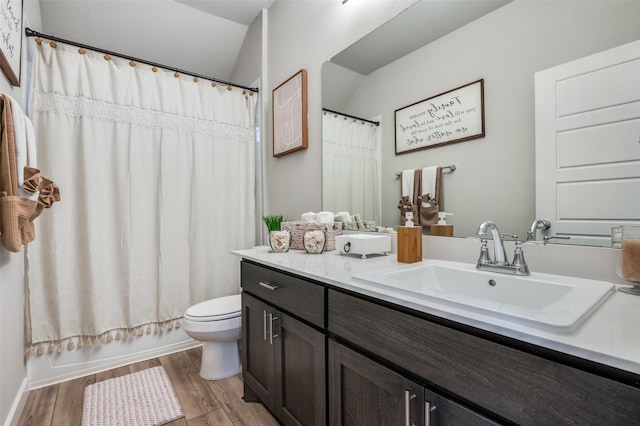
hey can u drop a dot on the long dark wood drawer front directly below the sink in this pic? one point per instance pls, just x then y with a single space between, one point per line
521 387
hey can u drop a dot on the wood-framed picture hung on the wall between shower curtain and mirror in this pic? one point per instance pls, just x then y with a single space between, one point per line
289 109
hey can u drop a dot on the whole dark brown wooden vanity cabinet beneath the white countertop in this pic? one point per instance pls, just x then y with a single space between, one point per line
315 354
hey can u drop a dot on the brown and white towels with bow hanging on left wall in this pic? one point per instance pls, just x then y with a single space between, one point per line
24 194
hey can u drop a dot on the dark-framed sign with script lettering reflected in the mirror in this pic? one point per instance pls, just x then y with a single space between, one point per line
453 116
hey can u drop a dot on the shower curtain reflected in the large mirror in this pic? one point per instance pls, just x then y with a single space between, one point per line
350 167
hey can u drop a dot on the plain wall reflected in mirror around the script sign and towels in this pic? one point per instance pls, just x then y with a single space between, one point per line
495 175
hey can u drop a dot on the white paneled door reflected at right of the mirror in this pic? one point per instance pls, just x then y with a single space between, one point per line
588 145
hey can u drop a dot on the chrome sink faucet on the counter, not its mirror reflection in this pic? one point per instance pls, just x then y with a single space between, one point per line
500 262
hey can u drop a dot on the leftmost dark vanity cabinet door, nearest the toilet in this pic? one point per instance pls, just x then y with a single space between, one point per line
257 351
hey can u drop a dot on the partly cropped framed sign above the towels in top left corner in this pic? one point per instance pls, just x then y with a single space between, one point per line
11 39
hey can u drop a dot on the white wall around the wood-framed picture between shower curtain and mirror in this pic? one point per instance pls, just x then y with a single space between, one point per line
304 34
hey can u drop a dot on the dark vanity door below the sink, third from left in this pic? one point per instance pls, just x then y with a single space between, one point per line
362 392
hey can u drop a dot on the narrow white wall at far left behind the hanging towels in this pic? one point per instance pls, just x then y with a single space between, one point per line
13 371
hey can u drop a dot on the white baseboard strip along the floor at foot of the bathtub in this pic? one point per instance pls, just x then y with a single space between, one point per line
121 361
